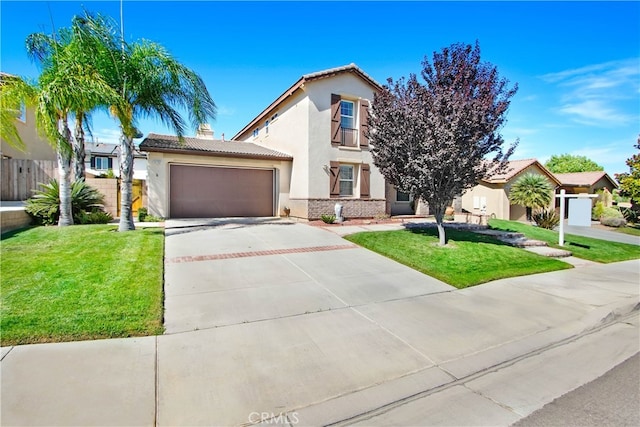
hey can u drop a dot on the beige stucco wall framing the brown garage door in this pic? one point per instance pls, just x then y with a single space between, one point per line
158 172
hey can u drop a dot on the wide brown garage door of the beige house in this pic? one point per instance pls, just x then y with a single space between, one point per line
214 192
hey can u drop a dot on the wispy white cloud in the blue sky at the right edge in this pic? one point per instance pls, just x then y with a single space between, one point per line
600 94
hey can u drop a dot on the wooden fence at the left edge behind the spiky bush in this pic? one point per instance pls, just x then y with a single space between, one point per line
18 177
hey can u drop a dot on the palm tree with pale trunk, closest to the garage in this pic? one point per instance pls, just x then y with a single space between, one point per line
150 82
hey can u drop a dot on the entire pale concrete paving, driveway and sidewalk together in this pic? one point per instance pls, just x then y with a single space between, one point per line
285 323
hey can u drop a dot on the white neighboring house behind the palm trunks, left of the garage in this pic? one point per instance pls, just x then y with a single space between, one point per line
102 157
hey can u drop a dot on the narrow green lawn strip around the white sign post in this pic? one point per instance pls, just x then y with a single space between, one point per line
581 247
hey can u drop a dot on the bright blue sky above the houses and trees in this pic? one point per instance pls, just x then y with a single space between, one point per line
577 64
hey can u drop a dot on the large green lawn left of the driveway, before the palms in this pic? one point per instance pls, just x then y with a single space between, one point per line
80 282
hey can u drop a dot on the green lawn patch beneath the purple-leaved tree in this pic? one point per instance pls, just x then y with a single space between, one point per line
468 259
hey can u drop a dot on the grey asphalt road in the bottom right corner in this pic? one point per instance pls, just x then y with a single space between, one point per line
611 400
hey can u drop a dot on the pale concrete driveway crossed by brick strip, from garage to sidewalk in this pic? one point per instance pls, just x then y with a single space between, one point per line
227 272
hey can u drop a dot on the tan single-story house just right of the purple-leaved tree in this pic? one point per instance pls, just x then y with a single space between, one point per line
491 195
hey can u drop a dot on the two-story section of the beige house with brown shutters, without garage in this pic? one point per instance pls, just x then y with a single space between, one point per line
321 121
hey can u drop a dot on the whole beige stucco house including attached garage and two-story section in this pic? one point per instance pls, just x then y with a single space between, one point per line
302 154
